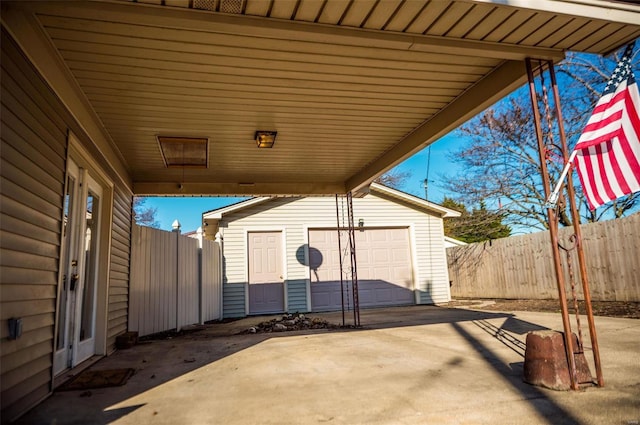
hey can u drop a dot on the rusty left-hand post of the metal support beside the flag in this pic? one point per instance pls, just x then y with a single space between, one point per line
553 231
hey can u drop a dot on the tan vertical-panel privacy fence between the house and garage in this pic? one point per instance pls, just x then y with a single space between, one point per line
175 281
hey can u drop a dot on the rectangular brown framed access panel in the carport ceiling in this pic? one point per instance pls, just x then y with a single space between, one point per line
189 152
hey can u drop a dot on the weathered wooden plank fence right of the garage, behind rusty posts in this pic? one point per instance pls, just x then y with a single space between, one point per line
521 267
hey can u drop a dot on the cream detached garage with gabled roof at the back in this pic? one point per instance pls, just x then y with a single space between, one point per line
283 255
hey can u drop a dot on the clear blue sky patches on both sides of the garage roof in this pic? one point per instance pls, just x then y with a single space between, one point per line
188 210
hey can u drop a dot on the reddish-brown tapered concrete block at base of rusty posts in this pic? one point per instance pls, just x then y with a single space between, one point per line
545 361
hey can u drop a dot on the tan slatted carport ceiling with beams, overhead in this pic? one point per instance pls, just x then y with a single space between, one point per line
352 87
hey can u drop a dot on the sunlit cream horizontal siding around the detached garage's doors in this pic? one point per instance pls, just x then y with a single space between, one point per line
296 215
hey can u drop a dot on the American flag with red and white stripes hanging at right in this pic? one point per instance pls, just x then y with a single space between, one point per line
607 155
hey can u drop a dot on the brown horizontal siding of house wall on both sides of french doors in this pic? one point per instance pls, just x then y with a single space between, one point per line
34 149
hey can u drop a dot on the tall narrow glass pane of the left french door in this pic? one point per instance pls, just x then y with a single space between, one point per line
67 225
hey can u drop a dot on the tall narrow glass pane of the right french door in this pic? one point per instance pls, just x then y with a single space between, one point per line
90 242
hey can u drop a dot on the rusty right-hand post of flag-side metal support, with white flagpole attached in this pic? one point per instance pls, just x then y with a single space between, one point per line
575 216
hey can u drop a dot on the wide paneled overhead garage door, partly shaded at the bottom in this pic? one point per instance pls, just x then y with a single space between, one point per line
384 268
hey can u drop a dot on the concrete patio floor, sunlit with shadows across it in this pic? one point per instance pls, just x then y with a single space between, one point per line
410 365
